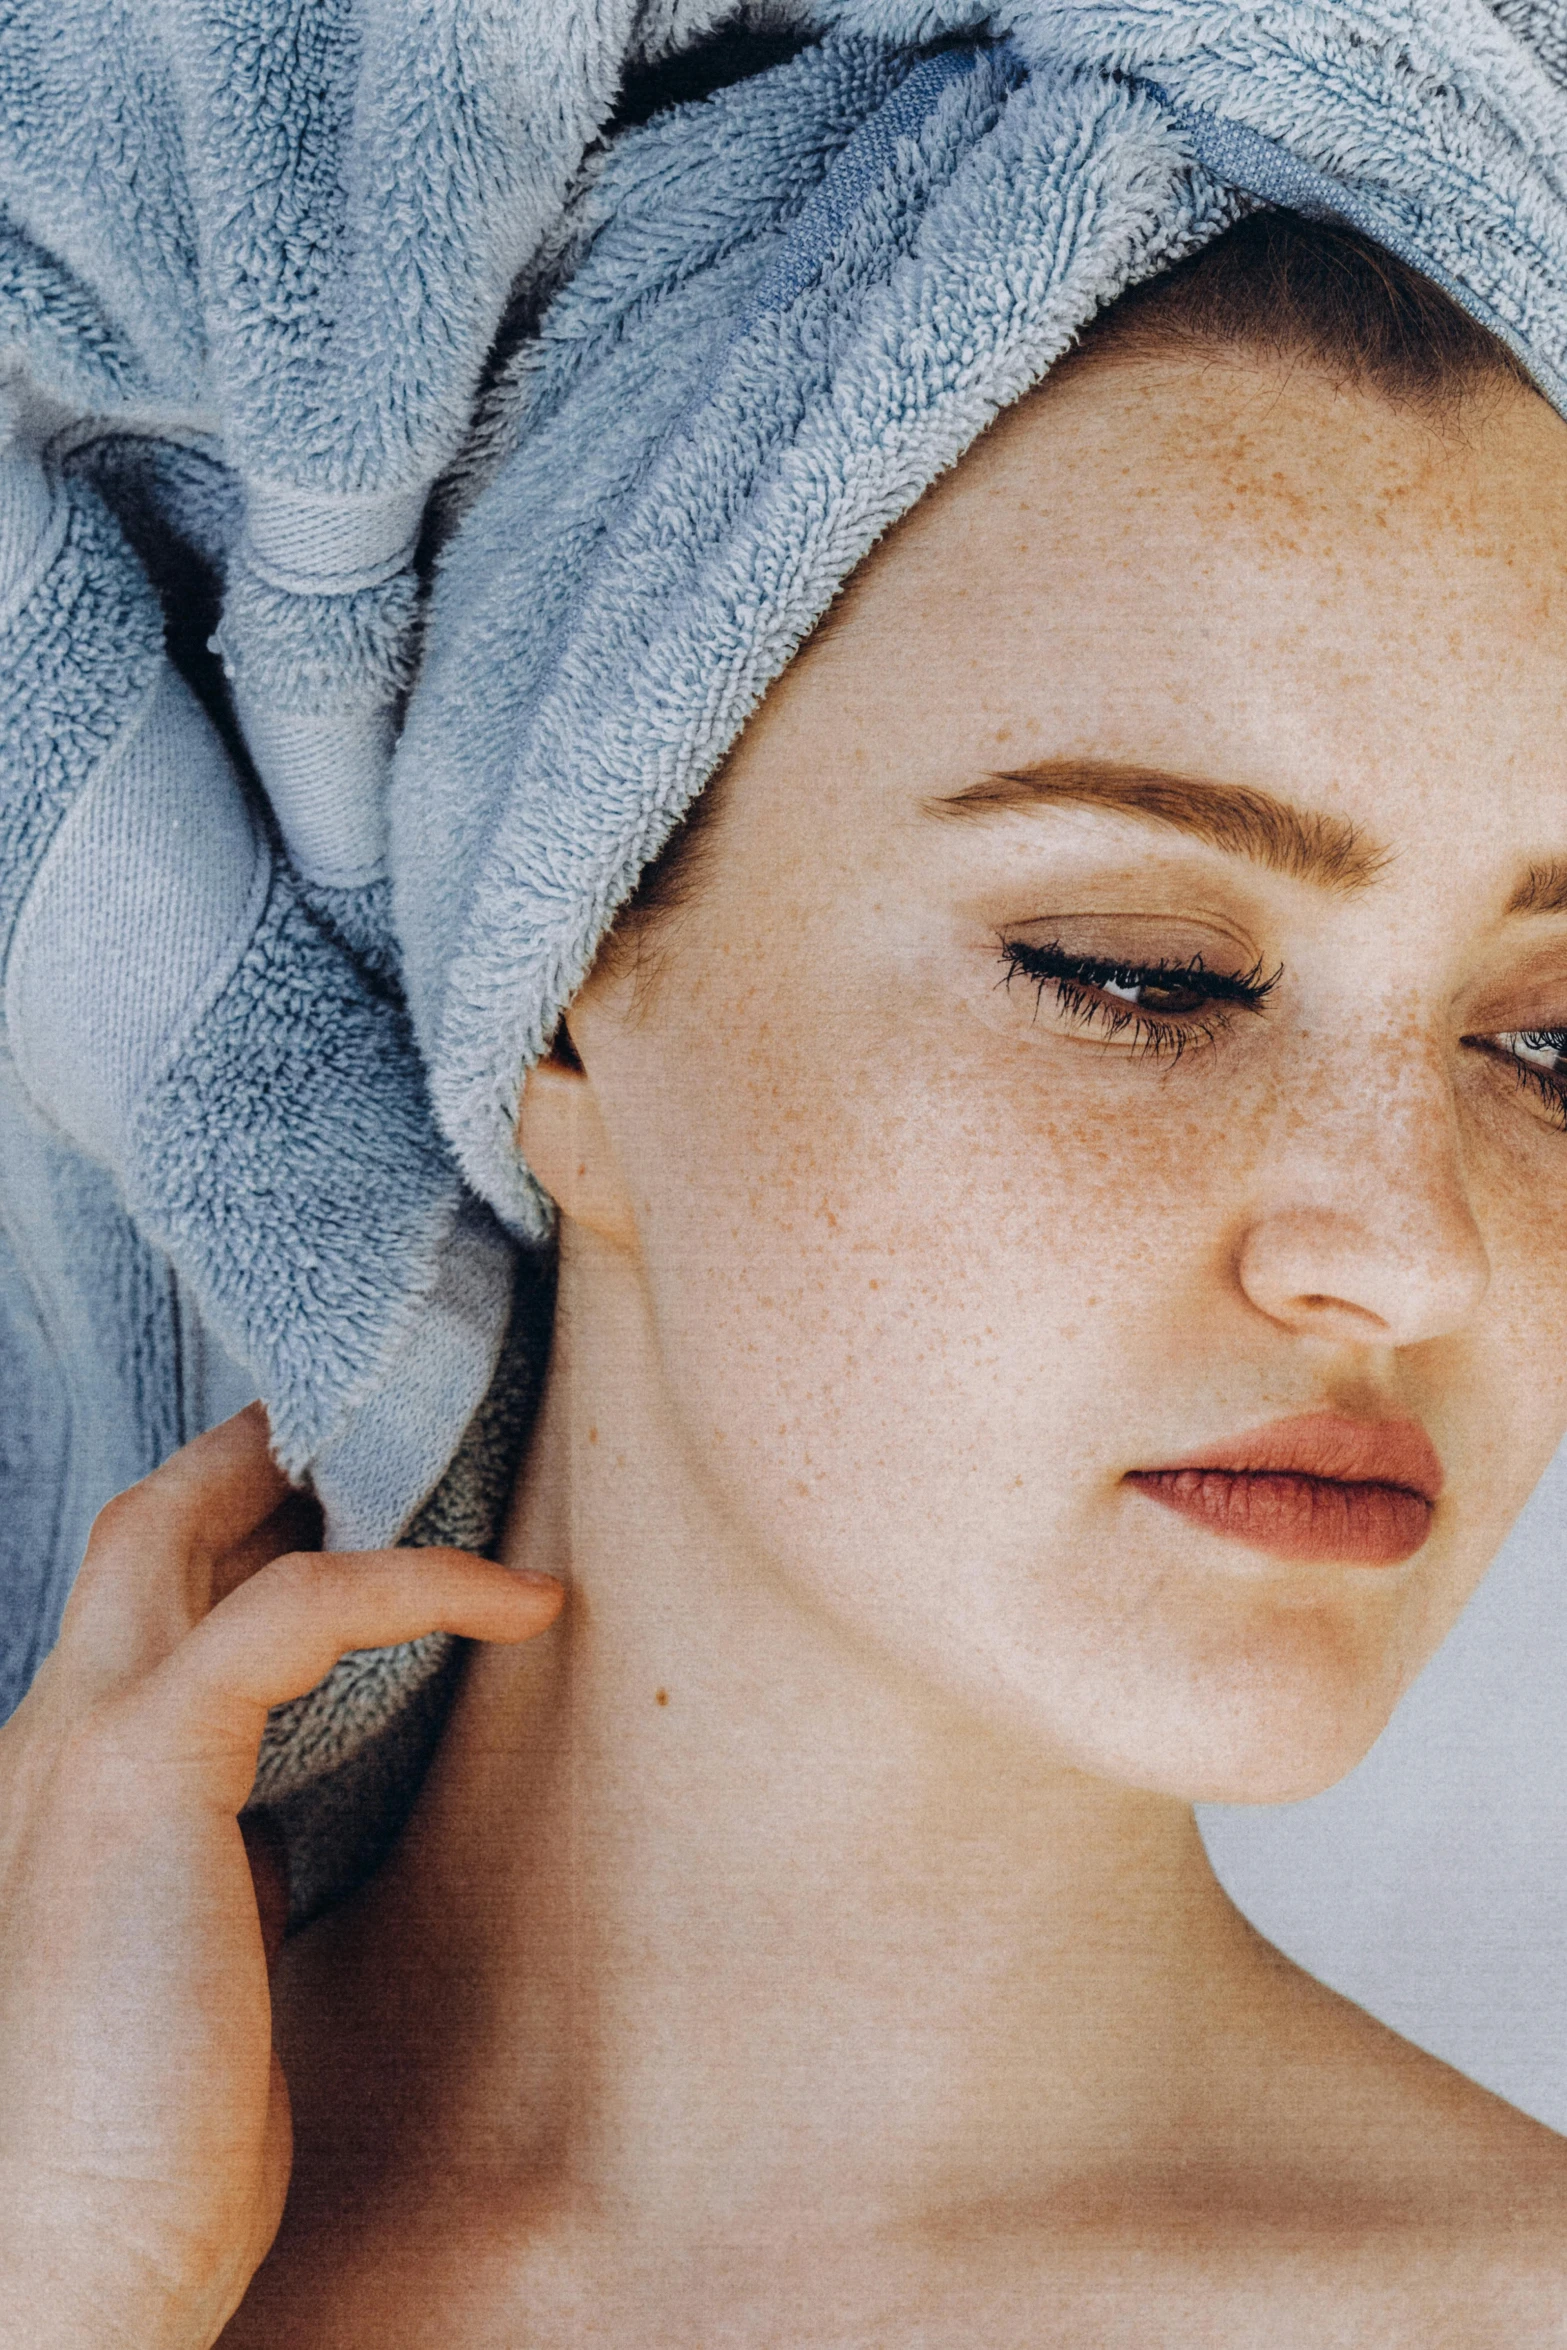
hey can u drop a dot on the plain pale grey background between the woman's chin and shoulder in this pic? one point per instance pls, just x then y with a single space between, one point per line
1432 1884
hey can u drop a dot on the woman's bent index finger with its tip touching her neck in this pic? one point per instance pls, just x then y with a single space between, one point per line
283 1632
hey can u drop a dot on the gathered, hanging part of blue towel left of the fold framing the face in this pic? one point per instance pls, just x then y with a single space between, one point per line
283 239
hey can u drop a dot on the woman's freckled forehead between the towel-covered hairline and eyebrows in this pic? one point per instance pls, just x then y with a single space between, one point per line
1220 568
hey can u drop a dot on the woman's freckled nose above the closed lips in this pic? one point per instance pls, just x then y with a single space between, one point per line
1373 1247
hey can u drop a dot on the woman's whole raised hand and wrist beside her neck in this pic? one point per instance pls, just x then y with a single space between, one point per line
144 2119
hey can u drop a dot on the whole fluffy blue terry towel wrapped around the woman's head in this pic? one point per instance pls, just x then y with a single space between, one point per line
297 290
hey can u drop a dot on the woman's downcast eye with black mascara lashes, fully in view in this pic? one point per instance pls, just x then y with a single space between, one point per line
1157 1007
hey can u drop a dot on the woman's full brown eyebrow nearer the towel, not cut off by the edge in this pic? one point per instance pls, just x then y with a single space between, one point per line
1235 817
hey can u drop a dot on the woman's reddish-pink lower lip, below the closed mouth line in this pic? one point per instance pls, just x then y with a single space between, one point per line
1296 1517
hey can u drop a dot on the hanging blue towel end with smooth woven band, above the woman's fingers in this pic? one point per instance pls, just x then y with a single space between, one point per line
161 960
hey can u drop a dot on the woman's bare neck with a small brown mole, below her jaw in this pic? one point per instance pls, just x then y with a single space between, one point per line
746 1926
